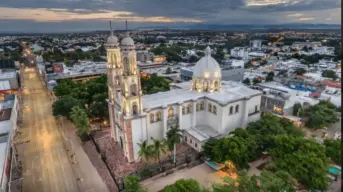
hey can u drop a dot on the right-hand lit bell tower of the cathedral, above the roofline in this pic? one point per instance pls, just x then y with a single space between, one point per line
131 84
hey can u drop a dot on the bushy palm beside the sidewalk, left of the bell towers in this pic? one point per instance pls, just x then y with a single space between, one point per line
81 120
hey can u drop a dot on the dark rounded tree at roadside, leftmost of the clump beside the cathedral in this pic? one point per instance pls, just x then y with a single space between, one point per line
64 105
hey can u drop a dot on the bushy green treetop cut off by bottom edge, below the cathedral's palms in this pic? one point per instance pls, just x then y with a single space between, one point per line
183 185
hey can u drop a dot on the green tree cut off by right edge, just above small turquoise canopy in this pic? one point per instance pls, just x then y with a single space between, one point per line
333 150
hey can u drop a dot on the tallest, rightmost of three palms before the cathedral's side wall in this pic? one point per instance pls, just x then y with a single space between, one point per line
174 135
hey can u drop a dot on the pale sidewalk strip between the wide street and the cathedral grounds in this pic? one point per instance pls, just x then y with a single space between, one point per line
90 180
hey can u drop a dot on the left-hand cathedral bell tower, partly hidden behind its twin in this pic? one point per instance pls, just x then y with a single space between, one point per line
114 71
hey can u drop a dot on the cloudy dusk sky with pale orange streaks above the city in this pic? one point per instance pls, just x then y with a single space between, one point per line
87 15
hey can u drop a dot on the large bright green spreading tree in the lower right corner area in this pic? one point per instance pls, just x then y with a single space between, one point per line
303 158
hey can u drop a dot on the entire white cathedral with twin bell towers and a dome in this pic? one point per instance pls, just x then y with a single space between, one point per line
204 107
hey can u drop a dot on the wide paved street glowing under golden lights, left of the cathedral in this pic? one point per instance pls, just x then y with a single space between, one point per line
46 167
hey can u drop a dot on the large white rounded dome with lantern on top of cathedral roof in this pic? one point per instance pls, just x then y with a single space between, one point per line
207 67
